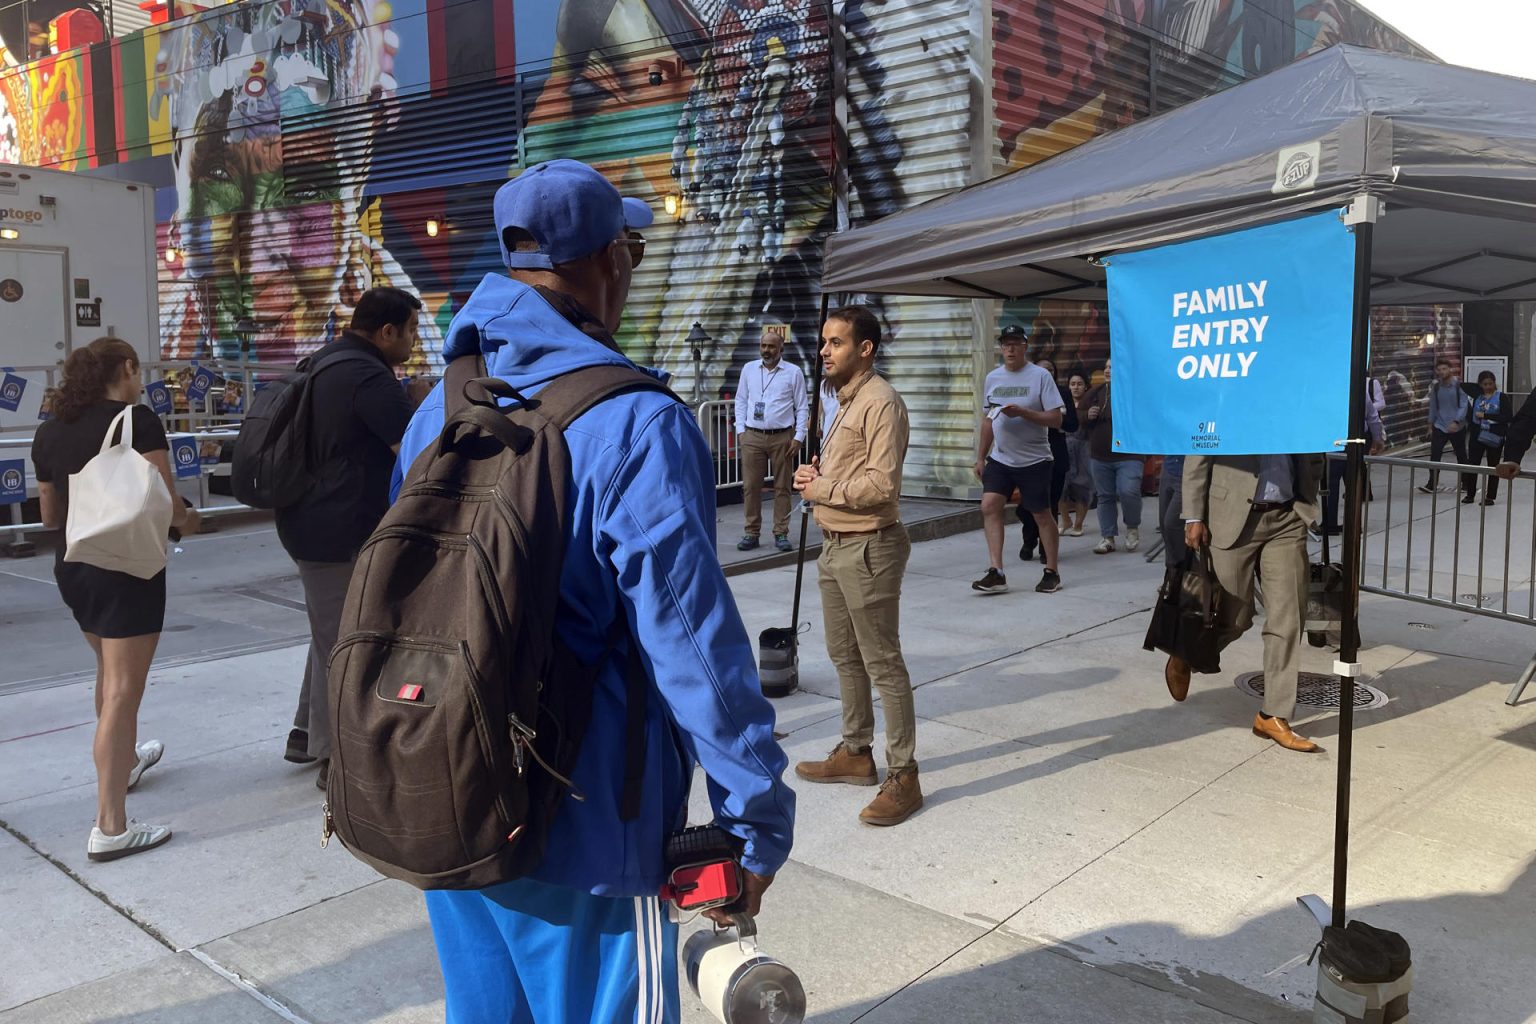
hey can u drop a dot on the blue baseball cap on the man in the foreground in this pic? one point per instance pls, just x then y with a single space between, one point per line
571 210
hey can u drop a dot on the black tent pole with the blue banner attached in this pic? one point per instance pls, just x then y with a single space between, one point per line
1356 478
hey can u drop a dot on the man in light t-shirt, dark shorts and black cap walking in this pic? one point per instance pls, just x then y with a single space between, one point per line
1021 408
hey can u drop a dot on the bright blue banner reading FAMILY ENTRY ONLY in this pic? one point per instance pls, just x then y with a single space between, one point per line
1237 345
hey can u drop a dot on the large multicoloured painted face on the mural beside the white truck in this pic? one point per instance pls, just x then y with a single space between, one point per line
271 228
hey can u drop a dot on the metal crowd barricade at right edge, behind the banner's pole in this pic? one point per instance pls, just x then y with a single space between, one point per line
1431 547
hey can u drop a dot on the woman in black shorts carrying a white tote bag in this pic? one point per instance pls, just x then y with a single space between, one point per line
104 475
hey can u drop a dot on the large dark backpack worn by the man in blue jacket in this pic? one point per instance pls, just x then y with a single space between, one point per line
457 713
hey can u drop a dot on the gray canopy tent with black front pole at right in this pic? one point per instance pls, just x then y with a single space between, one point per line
1435 164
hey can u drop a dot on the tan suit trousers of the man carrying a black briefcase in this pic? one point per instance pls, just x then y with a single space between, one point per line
1276 546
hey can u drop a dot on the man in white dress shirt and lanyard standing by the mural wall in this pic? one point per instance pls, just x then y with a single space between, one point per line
772 412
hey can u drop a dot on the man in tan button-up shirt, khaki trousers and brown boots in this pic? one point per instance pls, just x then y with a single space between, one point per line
856 486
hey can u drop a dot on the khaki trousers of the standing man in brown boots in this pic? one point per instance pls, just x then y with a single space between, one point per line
861 578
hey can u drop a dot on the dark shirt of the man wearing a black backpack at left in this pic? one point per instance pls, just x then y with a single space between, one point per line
360 412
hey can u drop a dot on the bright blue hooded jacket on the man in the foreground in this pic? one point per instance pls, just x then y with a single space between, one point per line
640 544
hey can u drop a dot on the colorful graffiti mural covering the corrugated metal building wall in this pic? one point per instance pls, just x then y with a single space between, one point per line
306 150
